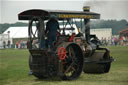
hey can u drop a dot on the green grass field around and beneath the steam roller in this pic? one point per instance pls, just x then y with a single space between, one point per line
14 70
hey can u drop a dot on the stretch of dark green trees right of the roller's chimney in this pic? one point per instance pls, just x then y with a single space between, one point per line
116 26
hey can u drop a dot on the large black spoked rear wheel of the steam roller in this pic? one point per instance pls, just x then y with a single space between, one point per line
73 63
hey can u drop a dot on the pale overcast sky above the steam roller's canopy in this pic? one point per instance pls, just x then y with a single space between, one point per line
109 9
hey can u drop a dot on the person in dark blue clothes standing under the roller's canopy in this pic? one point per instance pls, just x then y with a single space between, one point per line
51 28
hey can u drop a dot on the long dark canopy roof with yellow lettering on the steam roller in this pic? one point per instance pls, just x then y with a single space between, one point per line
60 14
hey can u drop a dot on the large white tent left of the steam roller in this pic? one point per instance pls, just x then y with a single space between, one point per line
16 34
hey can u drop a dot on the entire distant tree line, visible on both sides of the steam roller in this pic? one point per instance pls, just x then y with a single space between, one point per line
116 25
